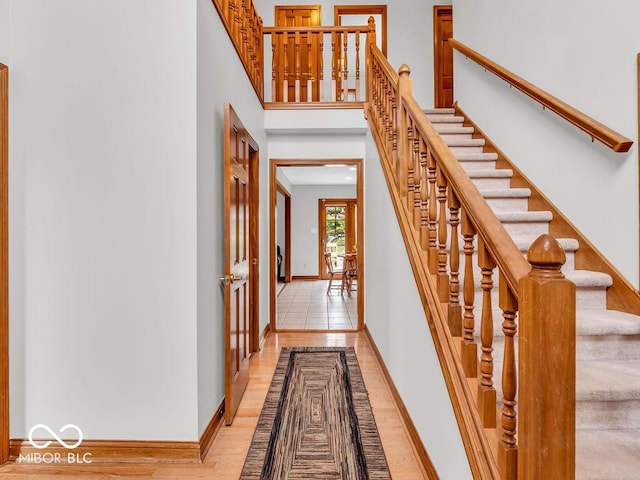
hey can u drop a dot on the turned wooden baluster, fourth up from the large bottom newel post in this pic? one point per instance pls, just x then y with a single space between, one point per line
454 317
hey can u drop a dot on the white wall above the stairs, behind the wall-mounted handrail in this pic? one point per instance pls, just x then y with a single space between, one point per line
583 52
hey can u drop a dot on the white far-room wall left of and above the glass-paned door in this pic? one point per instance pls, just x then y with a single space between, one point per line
305 224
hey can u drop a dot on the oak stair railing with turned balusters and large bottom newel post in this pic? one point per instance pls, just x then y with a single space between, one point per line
444 219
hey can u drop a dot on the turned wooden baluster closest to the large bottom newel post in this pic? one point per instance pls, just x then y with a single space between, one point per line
507 448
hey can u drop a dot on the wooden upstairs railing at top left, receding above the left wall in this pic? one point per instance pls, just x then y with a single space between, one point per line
245 29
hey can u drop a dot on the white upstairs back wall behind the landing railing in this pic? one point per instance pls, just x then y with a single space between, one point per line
410 30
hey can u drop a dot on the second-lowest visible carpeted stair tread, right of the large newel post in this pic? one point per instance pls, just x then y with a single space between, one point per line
607 380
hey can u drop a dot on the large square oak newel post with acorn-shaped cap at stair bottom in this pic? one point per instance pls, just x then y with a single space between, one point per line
547 366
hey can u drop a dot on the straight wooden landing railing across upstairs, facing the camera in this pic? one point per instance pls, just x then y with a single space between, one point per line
298 69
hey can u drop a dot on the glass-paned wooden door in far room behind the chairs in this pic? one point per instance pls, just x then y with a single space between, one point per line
337 227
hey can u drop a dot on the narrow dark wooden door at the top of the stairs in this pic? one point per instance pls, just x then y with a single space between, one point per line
443 56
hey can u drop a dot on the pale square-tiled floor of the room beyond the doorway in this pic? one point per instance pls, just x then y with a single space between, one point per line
306 305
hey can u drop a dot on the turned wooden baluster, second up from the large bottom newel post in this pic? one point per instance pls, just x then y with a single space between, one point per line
486 390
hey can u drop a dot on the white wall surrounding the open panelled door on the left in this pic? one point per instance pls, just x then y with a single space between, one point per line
215 54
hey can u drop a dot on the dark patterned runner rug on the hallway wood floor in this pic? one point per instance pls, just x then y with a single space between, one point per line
316 422
